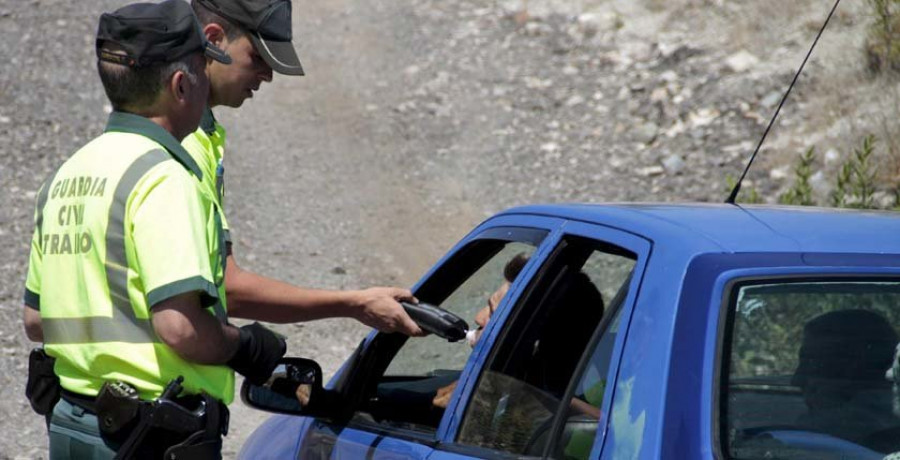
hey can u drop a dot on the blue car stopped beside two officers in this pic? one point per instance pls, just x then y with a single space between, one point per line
625 331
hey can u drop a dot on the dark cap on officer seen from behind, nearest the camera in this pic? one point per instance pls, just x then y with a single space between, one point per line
151 33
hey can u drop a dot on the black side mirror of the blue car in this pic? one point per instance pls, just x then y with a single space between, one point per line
295 388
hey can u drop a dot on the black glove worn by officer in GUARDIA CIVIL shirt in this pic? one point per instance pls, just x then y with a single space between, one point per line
258 353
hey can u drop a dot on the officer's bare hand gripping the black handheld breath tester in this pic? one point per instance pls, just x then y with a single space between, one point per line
380 308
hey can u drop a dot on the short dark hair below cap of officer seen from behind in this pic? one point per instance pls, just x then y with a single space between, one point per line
132 89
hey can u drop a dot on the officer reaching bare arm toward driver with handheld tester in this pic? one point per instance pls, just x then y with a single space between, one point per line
257 35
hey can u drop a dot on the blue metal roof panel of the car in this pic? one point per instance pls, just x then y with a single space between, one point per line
741 228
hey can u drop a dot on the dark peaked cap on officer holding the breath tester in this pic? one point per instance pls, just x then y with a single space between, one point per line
268 23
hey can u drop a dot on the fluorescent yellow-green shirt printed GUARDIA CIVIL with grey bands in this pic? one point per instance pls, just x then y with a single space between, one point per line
121 226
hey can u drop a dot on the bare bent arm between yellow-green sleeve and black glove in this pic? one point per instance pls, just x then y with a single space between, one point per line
183 324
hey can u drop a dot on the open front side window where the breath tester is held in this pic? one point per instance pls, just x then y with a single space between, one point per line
410 373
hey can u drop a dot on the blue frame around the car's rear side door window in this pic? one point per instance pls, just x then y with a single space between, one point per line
604 234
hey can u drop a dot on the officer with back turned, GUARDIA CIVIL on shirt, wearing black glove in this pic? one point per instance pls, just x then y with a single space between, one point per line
125 282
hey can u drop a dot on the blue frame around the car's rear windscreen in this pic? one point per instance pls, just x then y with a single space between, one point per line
724 293
